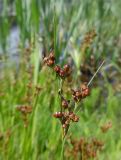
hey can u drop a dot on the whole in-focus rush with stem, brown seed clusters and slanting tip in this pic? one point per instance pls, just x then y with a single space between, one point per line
68 108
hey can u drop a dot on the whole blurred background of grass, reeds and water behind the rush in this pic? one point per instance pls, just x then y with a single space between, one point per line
29 30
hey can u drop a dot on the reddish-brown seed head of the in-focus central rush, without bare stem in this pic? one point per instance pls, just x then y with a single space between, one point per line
66 114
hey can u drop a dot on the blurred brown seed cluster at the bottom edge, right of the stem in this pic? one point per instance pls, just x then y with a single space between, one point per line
85 149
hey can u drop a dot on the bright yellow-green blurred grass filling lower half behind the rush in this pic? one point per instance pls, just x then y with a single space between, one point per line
42 138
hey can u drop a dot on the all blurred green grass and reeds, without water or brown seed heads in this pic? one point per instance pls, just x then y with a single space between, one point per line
60 25
